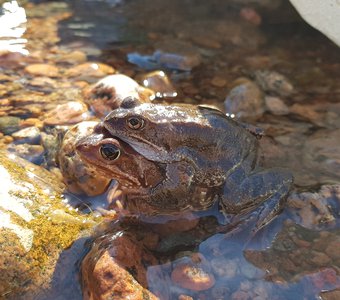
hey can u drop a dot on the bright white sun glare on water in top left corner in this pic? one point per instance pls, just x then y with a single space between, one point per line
12 27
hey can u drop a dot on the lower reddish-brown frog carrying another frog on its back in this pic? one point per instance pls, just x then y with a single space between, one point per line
136 176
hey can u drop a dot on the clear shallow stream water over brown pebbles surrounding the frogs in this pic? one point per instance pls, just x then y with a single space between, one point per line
222 46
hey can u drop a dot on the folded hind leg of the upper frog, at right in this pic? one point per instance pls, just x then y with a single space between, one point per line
261 194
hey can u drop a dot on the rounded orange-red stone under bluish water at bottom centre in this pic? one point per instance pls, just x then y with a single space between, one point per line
193 274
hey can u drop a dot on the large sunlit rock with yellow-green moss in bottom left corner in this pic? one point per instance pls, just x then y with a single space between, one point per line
35 228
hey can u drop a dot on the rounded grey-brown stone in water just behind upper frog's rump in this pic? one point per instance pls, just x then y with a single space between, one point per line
245 100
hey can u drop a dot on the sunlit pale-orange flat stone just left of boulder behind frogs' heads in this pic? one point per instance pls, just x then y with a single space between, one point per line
68 113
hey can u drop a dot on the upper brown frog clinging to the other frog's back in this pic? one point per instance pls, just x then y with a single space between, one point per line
206 157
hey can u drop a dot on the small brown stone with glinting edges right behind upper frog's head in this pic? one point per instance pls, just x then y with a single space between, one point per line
160 83
